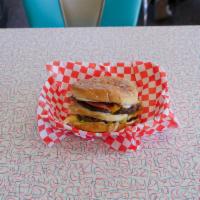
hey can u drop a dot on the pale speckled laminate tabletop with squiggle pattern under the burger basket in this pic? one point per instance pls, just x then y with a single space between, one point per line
166 167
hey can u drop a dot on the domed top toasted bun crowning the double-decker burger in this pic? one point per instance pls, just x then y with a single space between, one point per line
106 89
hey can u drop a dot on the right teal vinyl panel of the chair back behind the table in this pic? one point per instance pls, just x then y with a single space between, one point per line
120 12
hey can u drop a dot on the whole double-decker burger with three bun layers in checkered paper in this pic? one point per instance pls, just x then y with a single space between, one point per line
103 104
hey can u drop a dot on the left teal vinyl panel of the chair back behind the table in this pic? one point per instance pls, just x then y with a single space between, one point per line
43 13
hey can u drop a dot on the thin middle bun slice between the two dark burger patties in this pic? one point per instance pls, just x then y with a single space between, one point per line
80 110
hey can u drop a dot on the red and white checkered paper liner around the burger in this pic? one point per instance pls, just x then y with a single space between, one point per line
152 88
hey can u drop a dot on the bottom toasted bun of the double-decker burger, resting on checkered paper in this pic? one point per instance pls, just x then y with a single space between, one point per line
94 126
